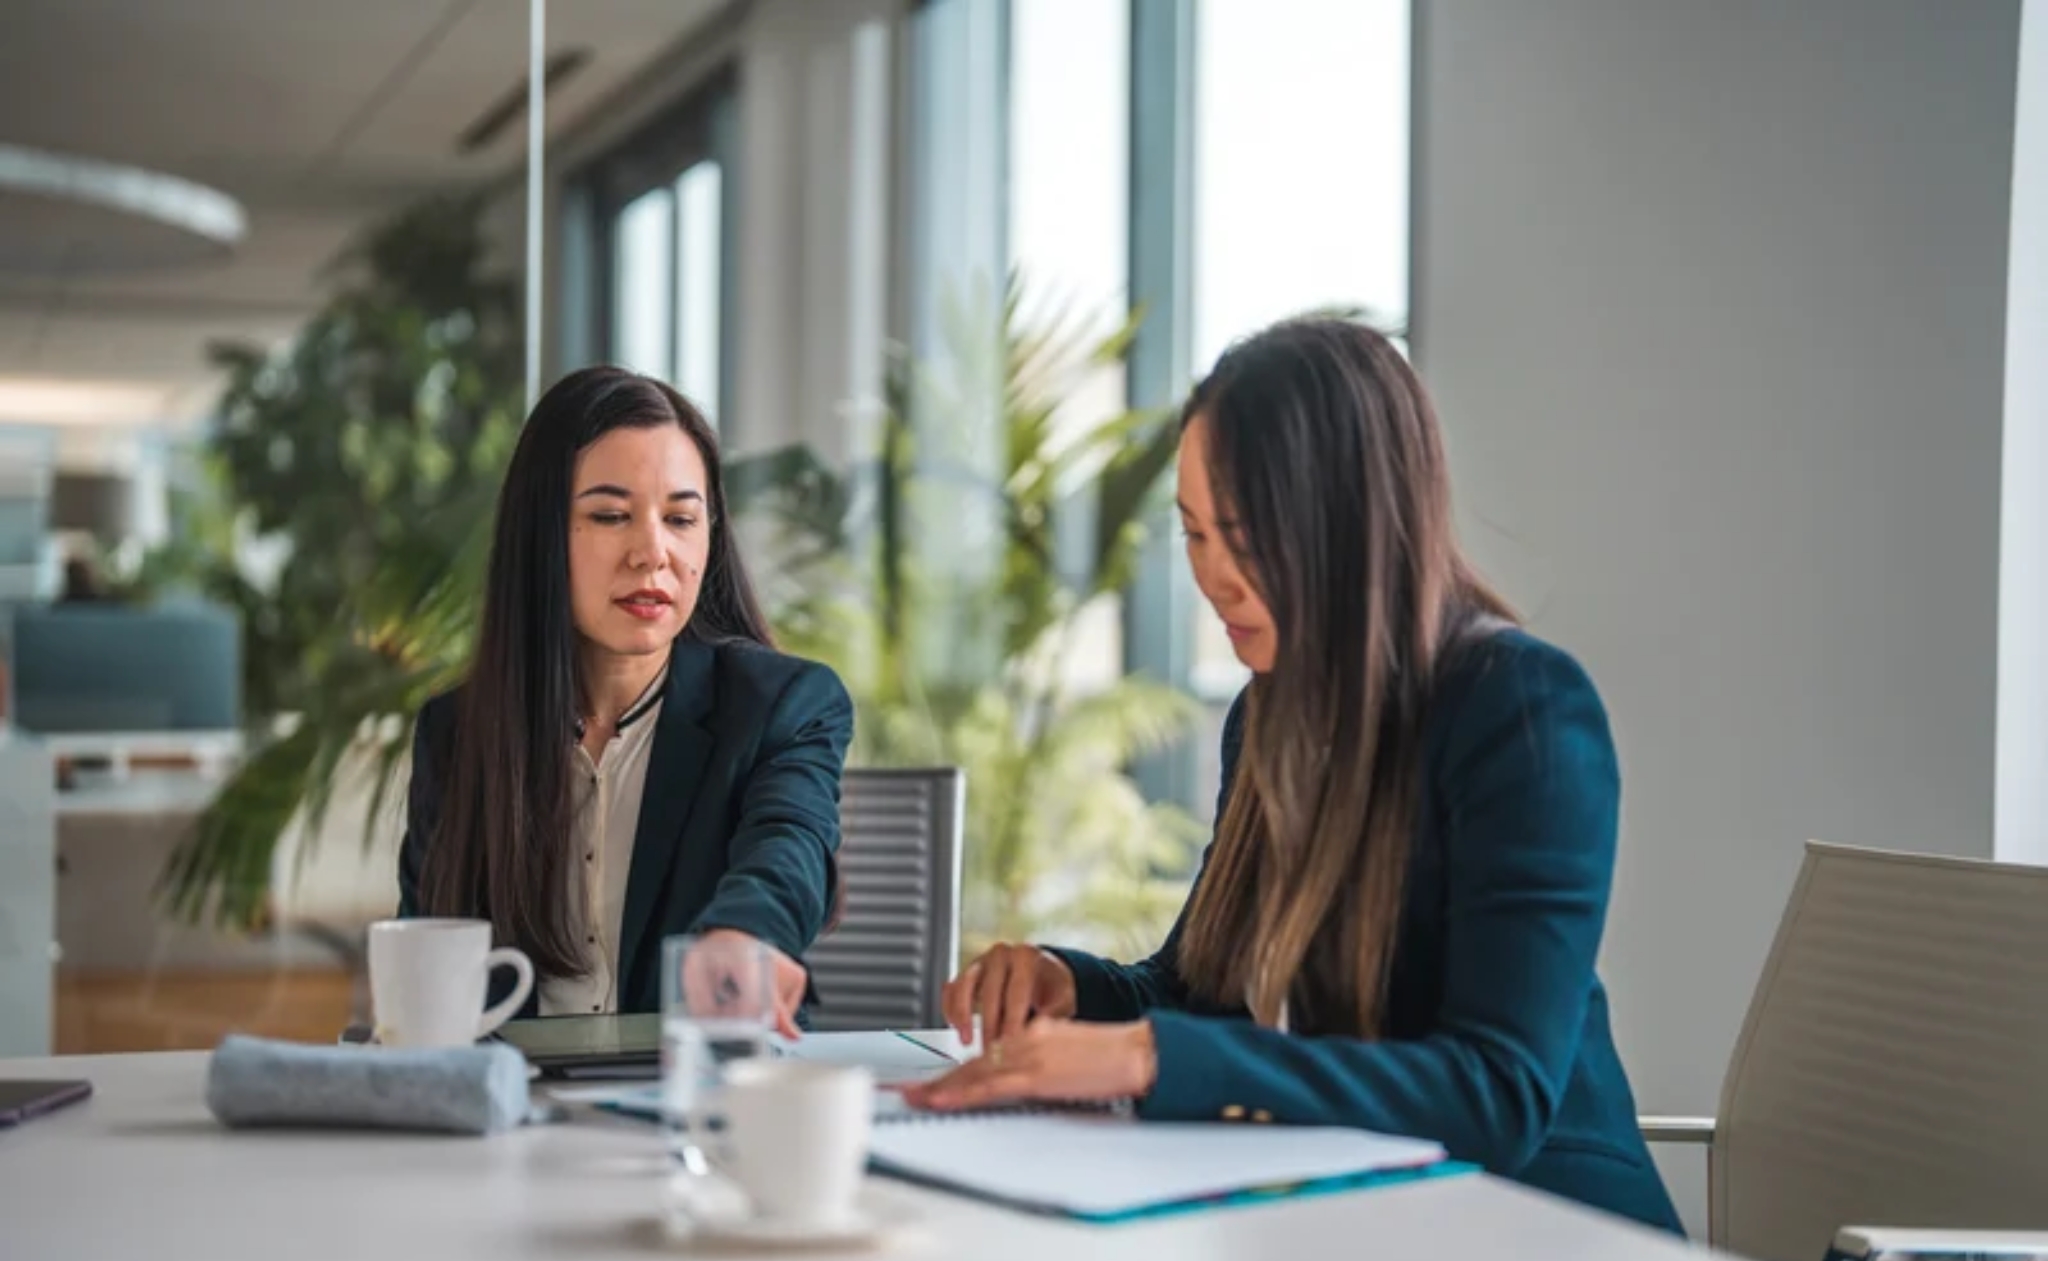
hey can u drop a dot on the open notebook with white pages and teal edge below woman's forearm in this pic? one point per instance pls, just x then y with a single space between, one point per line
1113 1170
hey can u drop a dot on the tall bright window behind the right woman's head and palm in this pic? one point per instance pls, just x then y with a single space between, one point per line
1218 165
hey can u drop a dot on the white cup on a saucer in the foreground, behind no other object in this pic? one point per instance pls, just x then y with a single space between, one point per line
796 1139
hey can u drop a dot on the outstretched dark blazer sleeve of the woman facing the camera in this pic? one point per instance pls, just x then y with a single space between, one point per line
783 857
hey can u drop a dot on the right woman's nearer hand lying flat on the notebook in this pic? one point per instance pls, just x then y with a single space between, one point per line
1052 1059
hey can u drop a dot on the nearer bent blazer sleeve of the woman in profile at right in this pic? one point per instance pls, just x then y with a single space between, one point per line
1531 789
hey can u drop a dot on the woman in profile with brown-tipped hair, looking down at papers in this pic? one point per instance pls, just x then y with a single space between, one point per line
1398 920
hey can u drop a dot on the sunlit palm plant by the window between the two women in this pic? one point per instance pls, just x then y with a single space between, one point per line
1060 838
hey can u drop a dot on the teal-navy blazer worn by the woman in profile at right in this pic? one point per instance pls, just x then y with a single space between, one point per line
1498 1039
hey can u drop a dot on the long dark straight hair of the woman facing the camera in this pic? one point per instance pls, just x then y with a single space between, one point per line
503 846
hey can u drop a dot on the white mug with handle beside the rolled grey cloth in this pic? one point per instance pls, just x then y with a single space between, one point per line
429 980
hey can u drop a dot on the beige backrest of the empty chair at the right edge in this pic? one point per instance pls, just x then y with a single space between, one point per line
1893 1068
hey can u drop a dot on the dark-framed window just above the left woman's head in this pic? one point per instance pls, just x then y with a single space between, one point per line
658 214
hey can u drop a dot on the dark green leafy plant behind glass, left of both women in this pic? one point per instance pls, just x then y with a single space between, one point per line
370 451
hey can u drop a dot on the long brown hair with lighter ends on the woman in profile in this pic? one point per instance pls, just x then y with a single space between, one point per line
1328 455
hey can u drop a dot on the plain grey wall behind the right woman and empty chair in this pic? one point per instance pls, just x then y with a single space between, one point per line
1713 302
